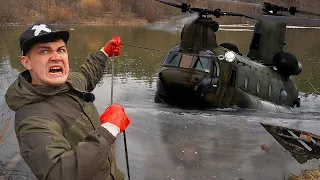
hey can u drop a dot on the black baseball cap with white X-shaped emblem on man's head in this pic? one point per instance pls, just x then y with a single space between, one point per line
38 32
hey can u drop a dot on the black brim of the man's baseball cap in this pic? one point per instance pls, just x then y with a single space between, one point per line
64 35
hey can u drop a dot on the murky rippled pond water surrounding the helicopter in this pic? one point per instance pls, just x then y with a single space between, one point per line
170 143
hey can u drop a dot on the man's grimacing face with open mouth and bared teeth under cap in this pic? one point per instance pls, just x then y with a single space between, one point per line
48 63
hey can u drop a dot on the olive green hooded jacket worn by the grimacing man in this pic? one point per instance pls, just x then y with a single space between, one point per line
59 131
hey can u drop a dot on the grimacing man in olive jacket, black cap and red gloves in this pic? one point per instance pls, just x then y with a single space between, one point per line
60 133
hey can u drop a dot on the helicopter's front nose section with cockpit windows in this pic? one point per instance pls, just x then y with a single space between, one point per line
193 74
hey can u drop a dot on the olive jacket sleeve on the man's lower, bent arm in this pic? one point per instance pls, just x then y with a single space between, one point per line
50 156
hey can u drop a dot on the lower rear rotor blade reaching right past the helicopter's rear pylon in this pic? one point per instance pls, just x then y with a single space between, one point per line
283 19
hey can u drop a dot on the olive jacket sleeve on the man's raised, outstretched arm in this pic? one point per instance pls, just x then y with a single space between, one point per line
89 74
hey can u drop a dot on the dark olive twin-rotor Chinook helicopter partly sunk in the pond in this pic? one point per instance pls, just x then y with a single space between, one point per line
198 72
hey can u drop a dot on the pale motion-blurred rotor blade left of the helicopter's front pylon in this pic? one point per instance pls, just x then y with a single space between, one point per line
174 23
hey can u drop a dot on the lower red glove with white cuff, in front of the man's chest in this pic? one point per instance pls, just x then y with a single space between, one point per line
115 115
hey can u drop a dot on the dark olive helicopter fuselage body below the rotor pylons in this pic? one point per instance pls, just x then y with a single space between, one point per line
208 80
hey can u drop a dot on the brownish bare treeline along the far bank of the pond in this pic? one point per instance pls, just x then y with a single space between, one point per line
77 11
